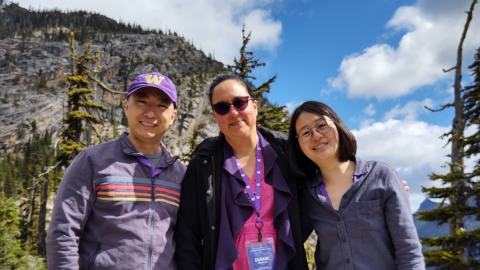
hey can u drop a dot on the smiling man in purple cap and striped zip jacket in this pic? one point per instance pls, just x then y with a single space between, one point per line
116 207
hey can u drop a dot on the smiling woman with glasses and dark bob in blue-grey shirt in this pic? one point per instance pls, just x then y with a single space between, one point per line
359 209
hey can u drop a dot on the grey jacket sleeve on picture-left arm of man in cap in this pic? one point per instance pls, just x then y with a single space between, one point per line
73 203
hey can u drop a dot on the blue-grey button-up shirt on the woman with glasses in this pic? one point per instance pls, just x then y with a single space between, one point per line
373 227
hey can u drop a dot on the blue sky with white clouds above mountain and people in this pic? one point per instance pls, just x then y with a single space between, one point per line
375 62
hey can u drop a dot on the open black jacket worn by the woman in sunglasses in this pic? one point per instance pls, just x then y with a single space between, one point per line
196 233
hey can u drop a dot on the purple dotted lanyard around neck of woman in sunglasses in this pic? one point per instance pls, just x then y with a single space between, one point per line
254 197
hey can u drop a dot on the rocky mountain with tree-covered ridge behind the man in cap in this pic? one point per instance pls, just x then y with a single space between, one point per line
35 56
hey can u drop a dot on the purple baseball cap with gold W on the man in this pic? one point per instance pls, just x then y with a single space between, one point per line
155 80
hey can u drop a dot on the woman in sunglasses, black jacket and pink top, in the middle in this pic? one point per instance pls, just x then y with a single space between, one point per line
219 222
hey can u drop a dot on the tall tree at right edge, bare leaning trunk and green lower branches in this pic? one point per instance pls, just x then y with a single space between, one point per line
451 249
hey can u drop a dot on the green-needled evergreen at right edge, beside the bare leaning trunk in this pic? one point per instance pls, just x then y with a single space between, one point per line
453 247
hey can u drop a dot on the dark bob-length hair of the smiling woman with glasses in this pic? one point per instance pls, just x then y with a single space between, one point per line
300 164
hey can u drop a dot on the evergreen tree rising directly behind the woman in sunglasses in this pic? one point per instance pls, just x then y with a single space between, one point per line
272 117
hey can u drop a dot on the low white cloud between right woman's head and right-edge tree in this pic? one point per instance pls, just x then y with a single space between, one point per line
412 147
